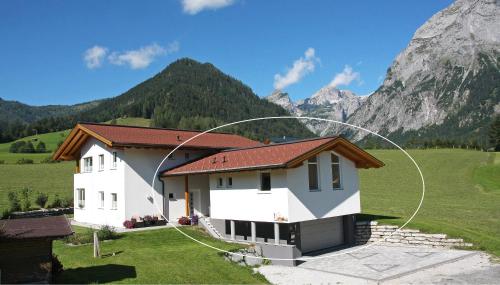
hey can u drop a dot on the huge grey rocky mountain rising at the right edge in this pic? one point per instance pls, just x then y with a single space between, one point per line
445 84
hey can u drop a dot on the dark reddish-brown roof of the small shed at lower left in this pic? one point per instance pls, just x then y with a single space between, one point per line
44 227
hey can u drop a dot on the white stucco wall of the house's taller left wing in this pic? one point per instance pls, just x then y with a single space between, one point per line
131 180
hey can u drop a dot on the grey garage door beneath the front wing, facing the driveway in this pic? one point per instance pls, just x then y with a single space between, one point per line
320 234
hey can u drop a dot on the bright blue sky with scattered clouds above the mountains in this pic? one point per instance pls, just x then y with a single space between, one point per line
297 45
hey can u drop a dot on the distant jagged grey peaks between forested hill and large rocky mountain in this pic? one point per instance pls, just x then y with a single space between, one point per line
327 103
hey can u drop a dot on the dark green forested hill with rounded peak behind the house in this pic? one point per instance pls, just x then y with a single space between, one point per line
187 94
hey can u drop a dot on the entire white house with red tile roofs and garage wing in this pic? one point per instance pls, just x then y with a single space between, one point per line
297 197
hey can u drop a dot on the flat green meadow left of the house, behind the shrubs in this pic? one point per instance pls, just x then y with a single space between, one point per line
53 178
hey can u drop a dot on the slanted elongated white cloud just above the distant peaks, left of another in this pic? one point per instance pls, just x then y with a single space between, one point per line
301 67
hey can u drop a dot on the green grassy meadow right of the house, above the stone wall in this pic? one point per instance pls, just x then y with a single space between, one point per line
454 203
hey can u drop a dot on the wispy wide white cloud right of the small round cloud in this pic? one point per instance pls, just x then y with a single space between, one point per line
142 57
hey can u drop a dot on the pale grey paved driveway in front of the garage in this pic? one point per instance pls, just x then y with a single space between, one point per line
390 264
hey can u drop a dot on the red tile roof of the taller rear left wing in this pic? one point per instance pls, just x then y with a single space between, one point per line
127 135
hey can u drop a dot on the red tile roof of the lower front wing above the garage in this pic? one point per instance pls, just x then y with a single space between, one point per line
269 156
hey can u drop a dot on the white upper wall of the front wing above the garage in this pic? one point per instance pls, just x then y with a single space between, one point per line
289 197
